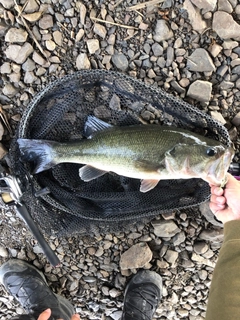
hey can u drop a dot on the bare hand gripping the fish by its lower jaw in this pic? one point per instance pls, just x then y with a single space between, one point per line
224 203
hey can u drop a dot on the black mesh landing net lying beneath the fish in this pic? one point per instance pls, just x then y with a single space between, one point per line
110 202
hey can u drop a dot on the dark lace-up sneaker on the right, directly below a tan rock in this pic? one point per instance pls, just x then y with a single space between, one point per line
142 296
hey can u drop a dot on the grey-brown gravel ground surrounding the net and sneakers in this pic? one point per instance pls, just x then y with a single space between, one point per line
190 49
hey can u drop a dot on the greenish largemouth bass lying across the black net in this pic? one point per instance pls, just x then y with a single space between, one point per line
147 152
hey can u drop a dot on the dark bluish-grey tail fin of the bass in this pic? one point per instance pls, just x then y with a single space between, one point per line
38 151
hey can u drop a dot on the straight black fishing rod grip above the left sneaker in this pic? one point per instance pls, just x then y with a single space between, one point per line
50 254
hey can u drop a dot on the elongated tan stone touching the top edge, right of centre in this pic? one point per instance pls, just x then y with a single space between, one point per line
194 16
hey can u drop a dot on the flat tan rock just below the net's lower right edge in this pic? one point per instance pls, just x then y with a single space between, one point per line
165 229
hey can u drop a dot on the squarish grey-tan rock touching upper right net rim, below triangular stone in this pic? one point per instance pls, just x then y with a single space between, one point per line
200 90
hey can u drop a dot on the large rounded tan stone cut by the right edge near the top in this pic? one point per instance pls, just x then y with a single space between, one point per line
225 26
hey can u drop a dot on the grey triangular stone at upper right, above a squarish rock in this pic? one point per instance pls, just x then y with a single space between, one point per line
200 61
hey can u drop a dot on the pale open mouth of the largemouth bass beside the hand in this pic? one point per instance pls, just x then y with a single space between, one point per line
218 169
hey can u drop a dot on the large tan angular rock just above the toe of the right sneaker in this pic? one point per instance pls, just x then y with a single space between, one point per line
136 257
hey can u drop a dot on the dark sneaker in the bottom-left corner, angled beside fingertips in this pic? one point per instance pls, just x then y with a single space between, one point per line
28 285
